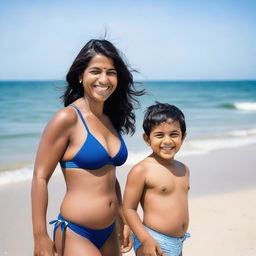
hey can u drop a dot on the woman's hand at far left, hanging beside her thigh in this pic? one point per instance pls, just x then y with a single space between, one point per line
44 246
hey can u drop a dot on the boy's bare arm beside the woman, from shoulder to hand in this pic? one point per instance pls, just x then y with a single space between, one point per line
135 185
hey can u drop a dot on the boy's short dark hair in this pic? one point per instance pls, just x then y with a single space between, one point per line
159 113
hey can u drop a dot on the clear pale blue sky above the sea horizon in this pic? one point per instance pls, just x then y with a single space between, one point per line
162 39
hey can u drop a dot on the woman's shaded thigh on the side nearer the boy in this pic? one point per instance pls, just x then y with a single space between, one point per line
112 246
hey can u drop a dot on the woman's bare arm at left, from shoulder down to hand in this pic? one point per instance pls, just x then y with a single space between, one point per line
51 149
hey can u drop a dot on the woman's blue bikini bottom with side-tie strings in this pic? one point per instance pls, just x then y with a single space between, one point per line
97 236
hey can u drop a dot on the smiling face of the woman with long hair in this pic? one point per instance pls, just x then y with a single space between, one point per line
99 79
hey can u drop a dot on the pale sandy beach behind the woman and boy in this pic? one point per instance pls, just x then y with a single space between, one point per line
222 206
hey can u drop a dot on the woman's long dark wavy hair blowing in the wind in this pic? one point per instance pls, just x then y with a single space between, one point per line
119 106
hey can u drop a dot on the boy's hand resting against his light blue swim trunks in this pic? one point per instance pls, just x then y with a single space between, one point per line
150 248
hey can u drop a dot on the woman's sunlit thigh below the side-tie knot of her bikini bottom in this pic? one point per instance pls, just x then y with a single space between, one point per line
74 244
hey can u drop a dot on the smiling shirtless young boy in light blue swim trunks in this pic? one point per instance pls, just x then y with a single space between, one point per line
160 183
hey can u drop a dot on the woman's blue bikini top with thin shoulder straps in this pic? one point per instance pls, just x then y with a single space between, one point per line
92 155
